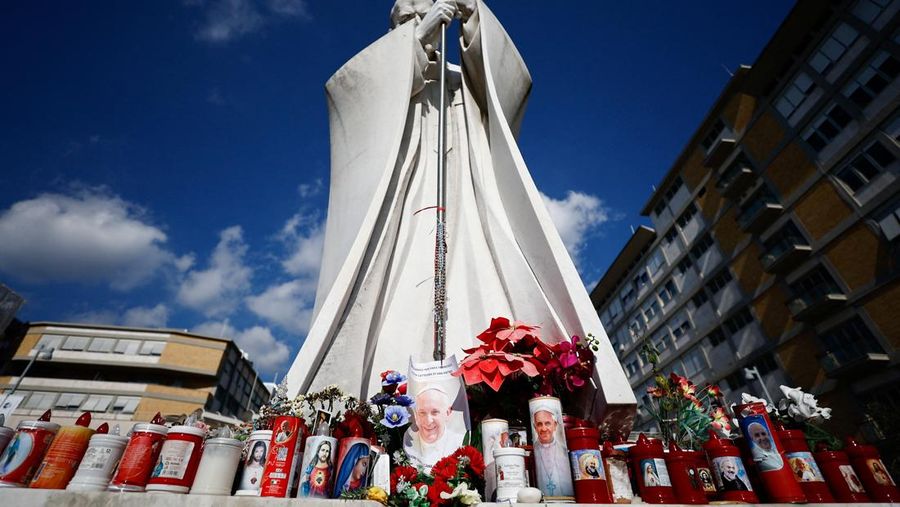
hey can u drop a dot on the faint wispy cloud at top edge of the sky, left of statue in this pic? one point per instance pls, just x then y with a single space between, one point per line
225 20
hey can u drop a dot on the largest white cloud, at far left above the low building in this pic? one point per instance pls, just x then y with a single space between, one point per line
88 237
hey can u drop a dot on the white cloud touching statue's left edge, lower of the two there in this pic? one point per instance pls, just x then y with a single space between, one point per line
288 305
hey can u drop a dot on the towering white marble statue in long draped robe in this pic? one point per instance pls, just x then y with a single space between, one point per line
374 303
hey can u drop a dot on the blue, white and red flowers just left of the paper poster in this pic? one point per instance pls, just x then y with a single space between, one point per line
391 410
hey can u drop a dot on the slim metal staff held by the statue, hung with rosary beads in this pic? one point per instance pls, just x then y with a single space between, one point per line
440 240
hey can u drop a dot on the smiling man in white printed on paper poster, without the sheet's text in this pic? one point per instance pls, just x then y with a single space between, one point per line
432 437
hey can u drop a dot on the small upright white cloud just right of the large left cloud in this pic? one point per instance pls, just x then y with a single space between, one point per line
217 290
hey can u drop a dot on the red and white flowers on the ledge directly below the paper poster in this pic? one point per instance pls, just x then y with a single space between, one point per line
454 480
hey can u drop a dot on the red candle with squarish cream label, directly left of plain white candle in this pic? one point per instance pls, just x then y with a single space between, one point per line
178 460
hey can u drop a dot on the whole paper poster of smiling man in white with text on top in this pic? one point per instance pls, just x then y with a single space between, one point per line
439 413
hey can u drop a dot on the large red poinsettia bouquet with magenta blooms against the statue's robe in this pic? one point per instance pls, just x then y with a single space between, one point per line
516 364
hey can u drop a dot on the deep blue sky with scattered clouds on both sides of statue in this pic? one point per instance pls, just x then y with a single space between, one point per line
166 163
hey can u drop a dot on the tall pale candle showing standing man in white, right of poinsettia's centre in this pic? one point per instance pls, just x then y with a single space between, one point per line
551 457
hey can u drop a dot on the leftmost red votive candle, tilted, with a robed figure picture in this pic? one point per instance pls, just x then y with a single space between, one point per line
21 458
